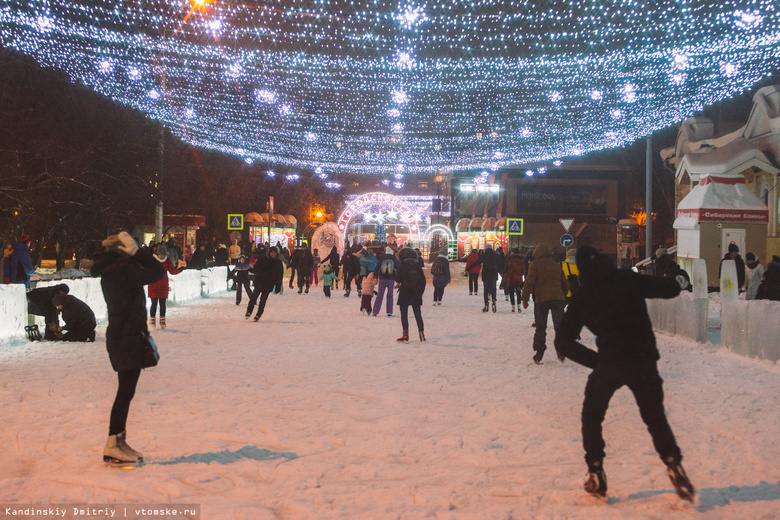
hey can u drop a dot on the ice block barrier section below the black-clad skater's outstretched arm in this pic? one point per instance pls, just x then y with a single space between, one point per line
683 316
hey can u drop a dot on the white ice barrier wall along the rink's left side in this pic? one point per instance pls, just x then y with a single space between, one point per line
189 285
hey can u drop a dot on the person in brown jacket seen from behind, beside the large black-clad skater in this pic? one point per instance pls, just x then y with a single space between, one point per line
547 282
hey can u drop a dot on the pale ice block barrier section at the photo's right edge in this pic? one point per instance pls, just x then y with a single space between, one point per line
751 328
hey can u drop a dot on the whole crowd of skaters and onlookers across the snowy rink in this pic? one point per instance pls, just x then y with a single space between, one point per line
579 288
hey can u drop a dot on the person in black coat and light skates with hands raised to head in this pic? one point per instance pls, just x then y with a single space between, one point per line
124 270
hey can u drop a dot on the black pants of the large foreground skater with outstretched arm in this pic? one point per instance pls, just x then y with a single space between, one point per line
647 387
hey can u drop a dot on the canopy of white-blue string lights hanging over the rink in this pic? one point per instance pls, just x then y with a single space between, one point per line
406 86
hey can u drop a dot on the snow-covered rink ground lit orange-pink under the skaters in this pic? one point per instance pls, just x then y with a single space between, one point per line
316 412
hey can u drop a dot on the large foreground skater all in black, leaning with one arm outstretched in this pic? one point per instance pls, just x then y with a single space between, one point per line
611 303
